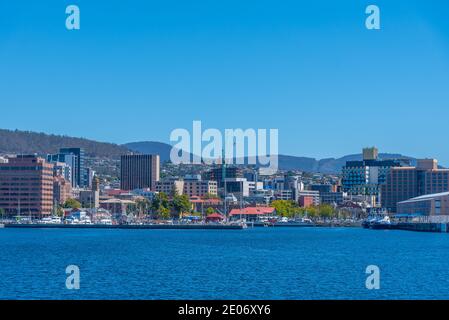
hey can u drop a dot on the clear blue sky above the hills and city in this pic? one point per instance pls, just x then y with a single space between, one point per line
138 69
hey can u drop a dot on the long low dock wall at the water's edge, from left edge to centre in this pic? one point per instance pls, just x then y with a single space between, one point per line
127 226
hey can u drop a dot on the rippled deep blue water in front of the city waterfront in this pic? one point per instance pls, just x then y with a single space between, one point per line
260 263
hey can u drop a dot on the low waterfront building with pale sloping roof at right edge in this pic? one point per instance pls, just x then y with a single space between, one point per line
428 205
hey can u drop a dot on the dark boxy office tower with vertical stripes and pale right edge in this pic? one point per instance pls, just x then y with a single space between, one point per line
139 171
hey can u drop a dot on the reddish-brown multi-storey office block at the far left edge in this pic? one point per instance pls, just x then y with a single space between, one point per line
26 186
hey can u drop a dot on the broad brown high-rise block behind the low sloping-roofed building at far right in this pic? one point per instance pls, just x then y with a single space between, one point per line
410 182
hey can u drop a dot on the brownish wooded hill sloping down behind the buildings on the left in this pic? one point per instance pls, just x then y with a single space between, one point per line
26 142
